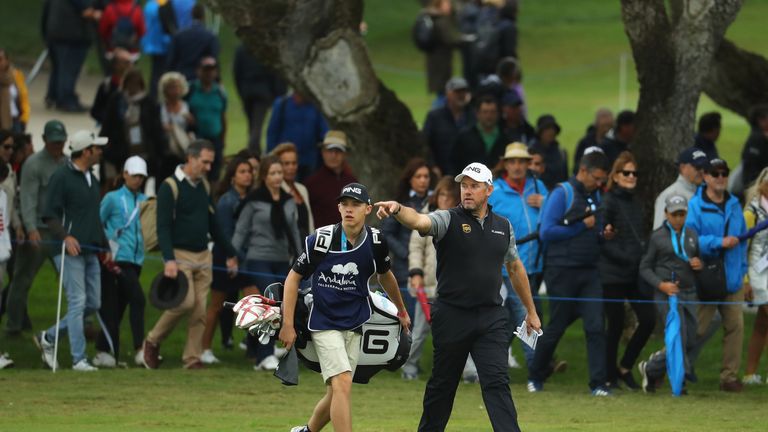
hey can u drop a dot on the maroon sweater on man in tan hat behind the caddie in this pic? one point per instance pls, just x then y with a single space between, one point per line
324 187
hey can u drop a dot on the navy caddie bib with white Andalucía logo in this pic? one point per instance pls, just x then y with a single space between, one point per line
340 283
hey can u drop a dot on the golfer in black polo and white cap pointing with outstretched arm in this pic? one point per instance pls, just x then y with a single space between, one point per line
472 244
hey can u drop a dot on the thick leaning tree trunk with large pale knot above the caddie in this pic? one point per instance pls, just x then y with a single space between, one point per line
317 48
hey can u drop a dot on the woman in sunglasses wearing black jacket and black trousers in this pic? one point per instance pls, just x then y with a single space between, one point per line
619 270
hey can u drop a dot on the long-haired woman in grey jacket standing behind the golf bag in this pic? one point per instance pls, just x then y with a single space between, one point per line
267 228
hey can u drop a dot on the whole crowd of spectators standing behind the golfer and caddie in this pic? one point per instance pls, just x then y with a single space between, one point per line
582 229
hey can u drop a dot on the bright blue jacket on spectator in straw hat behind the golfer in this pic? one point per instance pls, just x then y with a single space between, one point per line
525 219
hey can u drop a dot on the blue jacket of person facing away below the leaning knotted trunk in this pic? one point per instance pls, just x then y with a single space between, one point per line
302 125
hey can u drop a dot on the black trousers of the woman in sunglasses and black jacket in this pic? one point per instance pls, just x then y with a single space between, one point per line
614 314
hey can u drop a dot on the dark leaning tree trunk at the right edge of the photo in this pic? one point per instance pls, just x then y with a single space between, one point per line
738 79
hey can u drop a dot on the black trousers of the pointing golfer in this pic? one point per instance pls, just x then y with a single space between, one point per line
456 333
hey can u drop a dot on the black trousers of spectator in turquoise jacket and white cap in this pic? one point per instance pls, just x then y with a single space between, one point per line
117 293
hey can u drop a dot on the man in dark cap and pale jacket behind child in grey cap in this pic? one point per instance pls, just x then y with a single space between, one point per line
690 163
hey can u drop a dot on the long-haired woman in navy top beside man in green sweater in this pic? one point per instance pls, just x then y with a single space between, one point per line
237 182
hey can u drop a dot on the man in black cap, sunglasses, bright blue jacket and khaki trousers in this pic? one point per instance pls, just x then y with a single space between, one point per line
717 218
